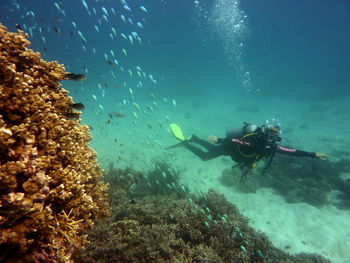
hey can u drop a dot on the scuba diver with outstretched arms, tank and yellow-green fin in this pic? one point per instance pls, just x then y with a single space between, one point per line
246 146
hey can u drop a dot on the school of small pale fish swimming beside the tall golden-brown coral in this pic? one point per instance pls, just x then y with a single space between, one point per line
118 26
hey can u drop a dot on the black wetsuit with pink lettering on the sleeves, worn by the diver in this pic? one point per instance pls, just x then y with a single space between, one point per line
247 151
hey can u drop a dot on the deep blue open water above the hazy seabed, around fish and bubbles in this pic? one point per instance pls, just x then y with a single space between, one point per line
288 46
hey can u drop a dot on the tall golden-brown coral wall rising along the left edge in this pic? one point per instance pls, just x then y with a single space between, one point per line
49 177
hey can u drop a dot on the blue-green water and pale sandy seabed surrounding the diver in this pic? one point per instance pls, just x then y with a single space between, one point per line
210 66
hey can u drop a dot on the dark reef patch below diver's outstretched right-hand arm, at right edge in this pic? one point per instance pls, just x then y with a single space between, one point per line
309 180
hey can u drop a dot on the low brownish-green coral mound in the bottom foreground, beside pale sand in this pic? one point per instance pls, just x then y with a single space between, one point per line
176 227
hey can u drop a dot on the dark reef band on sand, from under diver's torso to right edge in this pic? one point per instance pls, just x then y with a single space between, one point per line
298 180
